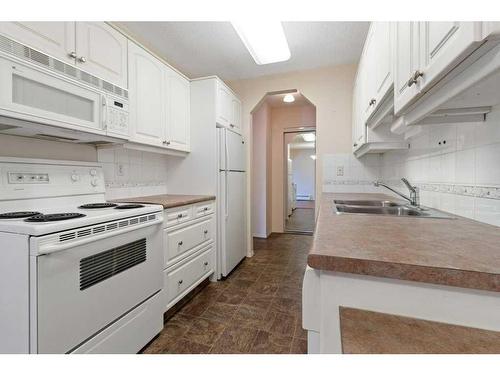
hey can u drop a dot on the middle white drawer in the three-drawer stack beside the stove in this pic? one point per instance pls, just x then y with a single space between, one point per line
181 240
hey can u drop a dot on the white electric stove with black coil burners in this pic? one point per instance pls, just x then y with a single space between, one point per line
77 274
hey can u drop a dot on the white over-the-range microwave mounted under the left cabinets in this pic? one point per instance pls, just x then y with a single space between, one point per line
38 101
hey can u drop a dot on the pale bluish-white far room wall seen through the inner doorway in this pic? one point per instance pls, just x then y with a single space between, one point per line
303 167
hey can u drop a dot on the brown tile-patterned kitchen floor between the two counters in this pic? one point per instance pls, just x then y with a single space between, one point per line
257 309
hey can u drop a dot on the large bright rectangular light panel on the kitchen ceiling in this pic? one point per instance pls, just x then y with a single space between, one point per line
265 40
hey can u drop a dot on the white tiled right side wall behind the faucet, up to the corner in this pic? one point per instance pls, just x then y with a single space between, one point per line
461 176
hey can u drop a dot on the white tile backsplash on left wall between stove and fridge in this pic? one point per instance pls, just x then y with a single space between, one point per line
129 173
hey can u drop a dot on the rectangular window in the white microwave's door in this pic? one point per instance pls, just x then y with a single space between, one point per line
47 98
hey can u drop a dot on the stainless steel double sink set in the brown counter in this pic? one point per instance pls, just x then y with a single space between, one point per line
385 207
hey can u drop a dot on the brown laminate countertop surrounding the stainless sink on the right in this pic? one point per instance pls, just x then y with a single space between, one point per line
461 252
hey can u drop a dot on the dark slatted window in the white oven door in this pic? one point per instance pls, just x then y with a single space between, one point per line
102 266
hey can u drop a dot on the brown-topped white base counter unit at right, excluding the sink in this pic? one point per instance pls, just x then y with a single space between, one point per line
436 271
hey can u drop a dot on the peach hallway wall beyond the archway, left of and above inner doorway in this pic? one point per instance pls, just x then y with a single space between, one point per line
281 119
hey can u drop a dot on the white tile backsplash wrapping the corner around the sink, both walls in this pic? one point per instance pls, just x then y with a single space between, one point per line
456 166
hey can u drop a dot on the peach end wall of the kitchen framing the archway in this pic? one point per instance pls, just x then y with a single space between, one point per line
329 89
